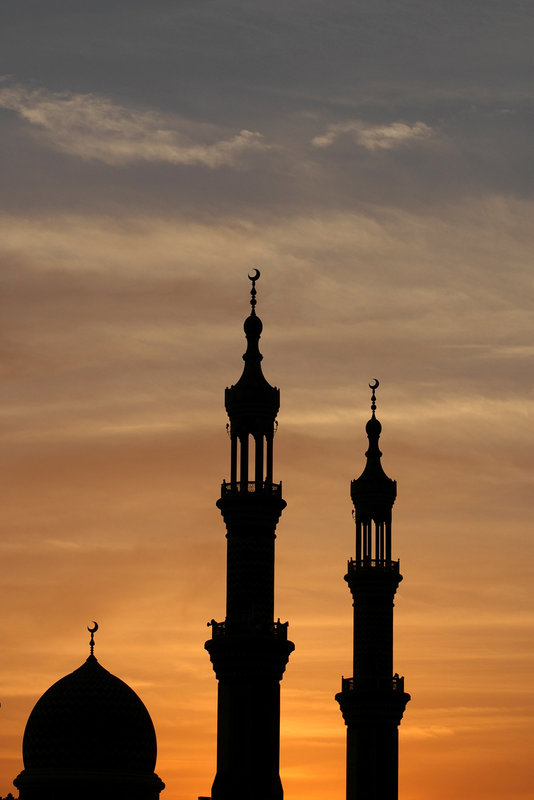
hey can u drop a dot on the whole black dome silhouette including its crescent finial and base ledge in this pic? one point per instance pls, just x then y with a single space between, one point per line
89 737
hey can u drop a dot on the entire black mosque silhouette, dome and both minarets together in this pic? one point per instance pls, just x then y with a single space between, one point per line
90 736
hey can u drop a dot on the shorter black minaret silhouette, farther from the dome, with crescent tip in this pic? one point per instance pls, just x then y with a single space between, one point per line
373 700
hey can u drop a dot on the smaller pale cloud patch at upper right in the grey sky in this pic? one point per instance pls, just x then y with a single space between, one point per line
375 137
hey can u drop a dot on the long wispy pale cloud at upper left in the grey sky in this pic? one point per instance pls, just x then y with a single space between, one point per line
94 128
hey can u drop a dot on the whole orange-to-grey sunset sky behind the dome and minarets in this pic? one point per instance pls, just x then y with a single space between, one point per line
374 159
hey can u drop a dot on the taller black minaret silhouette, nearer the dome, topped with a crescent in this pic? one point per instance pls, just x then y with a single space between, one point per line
249 651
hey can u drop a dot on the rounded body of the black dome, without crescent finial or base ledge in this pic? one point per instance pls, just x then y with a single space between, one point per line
90 720
